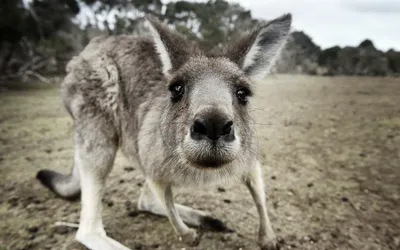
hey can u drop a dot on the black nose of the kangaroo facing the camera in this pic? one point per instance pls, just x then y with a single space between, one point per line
212 128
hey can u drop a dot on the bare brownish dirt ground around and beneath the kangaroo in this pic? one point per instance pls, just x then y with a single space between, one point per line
331 149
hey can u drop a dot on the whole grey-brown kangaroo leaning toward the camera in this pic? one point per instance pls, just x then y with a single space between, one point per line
180 113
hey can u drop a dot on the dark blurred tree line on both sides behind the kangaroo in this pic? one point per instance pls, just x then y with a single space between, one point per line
38 37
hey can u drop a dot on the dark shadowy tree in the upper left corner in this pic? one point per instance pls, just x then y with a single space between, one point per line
26 31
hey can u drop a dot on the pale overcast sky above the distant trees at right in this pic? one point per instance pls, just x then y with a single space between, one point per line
337 22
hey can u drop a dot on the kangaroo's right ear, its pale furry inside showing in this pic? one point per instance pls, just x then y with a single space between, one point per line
256 51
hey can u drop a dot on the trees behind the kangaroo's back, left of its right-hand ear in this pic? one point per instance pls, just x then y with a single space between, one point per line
39 36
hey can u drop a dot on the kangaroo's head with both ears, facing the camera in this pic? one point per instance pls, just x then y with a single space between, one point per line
206 121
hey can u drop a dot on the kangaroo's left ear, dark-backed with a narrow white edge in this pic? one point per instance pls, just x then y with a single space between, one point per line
173 48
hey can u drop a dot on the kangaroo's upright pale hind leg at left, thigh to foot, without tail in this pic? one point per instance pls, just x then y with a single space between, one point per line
96 146
